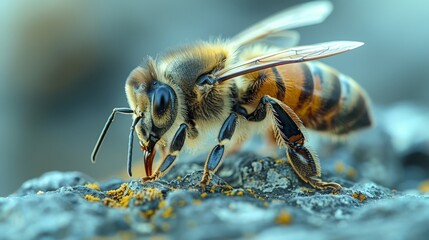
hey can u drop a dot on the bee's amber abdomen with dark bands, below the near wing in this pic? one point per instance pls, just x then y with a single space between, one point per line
323 99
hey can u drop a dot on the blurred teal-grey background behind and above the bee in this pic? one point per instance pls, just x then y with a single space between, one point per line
63 67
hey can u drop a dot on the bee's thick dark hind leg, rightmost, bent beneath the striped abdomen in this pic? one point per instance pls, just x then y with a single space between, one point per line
286 127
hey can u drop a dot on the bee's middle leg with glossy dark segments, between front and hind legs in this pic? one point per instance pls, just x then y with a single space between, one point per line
215 157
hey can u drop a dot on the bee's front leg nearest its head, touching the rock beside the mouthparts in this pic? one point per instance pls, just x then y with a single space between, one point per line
175 147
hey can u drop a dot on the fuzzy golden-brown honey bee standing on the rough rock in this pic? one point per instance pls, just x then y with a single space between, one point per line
258 81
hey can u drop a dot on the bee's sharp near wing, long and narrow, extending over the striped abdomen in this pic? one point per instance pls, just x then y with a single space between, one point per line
287 56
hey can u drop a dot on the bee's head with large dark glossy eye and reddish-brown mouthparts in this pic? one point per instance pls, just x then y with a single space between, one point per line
155 102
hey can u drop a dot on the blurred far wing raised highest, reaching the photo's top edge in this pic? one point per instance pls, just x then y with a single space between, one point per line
276 25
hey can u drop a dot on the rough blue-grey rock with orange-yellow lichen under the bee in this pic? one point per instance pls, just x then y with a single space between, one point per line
250 197
